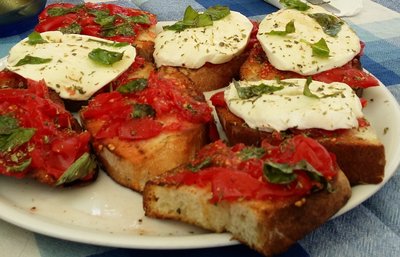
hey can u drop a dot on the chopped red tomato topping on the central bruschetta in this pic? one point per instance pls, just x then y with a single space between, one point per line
169 107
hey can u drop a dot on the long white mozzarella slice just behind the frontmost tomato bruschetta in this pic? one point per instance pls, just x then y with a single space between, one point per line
336 107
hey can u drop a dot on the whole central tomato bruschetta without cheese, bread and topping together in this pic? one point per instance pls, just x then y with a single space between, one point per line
131 162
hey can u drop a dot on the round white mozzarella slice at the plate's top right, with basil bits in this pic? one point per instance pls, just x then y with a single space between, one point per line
293 52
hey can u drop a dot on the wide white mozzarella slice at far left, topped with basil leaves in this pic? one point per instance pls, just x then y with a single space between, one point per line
71 73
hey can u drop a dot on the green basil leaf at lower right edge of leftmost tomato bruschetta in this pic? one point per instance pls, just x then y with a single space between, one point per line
79 169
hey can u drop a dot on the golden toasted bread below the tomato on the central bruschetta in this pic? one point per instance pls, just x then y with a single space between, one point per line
133 163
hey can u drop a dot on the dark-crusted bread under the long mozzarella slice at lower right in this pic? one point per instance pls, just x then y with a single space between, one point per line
359 153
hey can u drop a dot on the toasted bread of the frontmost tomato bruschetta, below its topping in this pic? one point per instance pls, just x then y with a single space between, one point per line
268 226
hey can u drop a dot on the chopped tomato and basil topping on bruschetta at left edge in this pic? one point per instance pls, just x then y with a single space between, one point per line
53 146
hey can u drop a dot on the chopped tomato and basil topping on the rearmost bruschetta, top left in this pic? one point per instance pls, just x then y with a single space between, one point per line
100 20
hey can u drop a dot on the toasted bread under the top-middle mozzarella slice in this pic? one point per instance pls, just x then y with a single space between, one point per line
210 76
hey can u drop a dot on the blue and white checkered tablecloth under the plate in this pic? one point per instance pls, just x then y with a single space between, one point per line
372 229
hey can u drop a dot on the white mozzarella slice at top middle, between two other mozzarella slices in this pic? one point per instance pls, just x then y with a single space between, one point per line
193 47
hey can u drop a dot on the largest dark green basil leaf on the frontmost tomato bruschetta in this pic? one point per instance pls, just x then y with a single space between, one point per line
278 173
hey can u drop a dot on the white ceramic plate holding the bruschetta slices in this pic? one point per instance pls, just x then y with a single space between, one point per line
107 214
